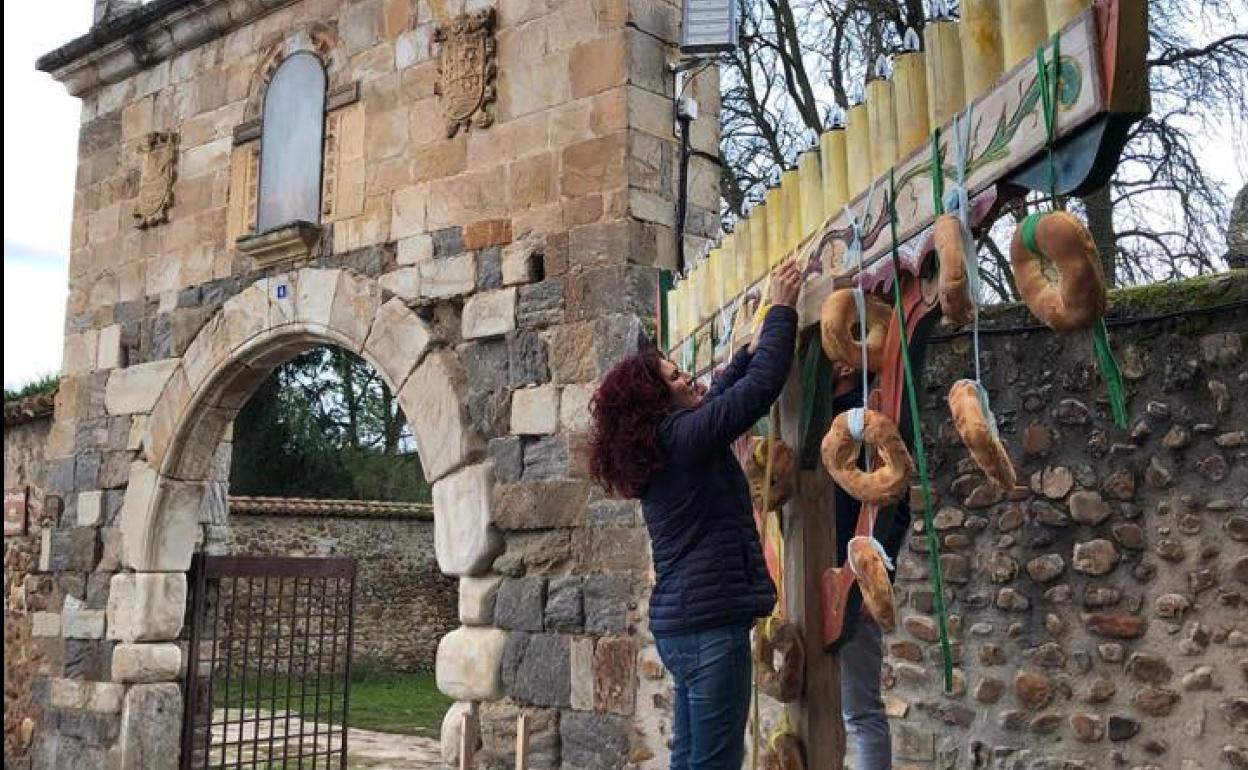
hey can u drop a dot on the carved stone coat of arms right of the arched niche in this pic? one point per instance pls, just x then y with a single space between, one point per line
467 71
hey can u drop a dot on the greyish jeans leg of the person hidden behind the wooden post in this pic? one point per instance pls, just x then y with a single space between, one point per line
862 706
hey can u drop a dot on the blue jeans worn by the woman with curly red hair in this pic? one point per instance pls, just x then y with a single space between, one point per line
712 671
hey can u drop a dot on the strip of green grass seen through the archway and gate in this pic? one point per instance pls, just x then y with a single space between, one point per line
410 704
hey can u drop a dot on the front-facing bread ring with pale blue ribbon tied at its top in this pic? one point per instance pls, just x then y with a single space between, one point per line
889 481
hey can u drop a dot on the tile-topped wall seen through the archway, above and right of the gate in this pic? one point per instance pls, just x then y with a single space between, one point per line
404 602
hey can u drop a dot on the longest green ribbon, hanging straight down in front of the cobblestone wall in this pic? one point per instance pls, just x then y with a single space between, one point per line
920 454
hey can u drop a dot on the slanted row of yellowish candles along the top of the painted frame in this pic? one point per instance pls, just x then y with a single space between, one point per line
958 62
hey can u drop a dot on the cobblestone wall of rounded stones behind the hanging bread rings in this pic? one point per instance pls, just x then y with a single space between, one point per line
1100 611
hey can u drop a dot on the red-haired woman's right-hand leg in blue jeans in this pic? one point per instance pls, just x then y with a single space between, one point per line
719 699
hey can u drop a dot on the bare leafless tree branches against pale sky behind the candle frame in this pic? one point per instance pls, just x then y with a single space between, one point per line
1164 215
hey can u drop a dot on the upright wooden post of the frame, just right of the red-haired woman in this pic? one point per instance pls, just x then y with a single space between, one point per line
811 547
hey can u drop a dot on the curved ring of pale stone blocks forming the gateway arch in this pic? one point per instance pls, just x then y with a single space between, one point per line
254 333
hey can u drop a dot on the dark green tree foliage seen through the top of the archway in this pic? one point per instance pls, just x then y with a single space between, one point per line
325 425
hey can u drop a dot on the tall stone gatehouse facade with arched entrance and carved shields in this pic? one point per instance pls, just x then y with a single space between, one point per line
494 200
